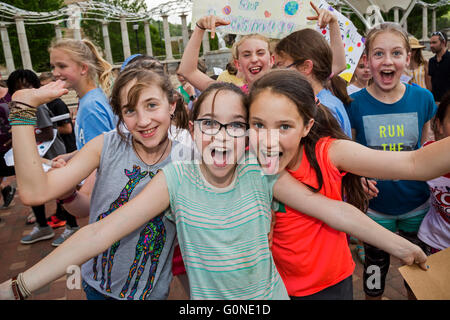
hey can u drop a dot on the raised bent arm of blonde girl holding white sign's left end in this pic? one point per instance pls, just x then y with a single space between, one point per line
188 66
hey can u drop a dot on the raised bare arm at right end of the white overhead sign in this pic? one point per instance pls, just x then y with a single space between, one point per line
325 17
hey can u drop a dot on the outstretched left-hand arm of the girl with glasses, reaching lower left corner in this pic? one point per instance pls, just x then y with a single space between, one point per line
95 238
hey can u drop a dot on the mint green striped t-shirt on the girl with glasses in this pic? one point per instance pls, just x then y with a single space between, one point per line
223 232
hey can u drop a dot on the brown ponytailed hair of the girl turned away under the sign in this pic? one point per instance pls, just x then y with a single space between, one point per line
308 44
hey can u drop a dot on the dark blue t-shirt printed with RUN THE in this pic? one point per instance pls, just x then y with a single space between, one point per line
393 127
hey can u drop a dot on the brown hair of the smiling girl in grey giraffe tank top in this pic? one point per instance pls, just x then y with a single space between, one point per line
143 79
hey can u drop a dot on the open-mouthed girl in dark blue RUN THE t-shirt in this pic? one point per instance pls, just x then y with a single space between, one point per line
390 115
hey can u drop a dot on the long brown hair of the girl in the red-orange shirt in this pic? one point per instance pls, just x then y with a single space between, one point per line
296 87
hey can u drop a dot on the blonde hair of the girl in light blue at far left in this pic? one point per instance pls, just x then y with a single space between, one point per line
85 52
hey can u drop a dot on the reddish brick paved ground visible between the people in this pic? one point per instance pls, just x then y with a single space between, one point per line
15 258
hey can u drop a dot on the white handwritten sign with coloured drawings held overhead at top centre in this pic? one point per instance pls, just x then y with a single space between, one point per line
273 19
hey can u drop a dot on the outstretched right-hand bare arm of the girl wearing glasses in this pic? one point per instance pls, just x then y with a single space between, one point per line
344 217
